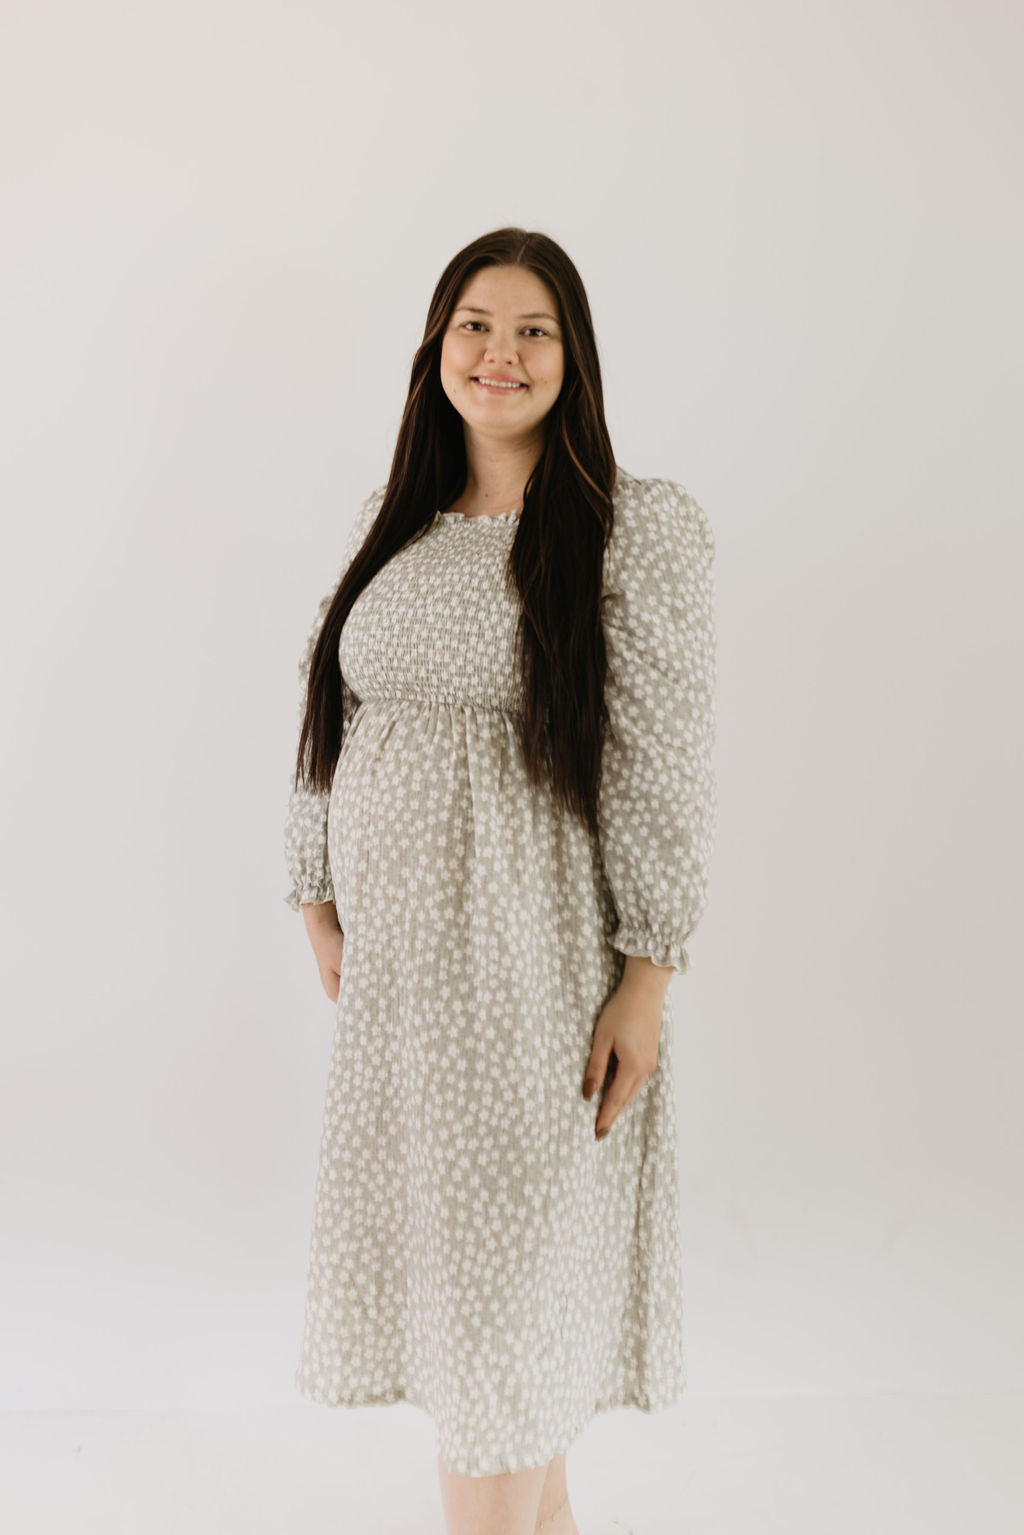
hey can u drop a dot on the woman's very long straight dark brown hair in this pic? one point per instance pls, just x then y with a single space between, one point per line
557 560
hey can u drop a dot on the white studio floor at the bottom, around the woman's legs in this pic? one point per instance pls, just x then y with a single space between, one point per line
894 1465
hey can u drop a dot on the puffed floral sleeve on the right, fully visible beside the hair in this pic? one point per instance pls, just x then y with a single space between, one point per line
658 802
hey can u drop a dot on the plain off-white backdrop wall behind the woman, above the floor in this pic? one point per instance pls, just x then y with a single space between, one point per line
801 234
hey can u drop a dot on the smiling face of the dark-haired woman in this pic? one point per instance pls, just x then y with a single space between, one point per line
506 329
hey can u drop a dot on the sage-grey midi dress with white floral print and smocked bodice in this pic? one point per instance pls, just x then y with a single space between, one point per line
475 1250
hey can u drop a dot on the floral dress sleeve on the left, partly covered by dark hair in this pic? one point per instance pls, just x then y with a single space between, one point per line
306 819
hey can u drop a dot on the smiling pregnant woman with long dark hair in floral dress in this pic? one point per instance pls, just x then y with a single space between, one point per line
500 836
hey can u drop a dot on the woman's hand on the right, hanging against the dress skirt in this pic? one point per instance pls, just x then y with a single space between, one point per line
630 1025
